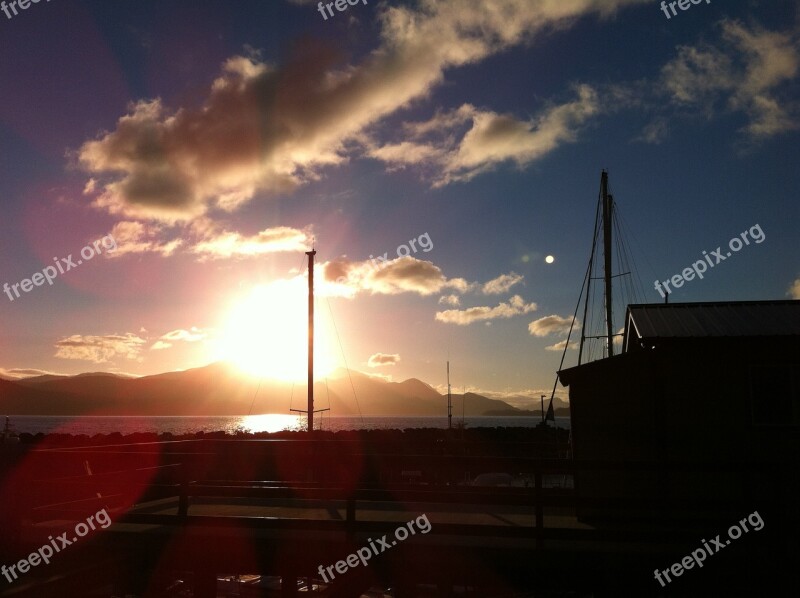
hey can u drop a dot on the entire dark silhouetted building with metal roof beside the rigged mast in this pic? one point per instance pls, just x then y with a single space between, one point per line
696 383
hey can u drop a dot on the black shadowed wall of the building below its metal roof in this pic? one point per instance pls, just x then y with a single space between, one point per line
689 401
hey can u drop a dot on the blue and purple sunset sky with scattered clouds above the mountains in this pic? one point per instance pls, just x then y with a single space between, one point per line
164 167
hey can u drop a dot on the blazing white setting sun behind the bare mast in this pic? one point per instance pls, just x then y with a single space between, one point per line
266 333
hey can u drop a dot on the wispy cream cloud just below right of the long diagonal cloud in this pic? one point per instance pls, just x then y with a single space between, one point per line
490 139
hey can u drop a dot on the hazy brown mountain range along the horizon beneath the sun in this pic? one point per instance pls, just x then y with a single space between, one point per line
219 389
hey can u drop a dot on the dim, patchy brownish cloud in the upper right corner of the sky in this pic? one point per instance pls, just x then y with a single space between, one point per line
747 72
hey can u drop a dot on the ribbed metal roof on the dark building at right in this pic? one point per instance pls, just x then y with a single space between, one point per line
724 319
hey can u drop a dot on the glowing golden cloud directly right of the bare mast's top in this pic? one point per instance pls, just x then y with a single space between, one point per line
402 275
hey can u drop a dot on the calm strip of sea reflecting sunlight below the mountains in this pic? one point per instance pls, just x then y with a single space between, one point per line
91 425
